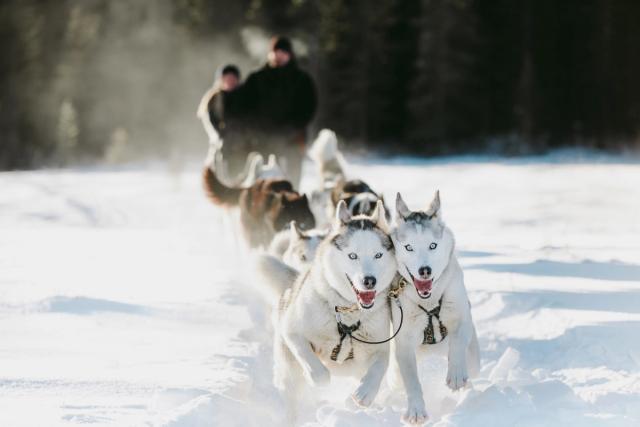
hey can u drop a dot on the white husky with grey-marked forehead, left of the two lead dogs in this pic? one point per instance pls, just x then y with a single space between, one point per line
340 300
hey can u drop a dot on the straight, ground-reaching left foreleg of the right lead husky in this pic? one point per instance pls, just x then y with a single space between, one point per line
406 358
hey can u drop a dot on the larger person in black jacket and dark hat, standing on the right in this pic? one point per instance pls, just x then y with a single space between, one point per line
279 101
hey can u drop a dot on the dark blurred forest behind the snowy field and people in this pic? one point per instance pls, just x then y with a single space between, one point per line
86 80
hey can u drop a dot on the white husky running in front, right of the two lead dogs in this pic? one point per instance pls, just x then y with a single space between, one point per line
434 298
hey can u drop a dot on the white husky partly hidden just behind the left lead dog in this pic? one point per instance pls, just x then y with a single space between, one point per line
296 247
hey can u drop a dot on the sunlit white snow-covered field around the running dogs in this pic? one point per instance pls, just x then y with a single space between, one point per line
123 303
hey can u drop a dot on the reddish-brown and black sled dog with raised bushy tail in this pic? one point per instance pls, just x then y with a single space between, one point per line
266 207
